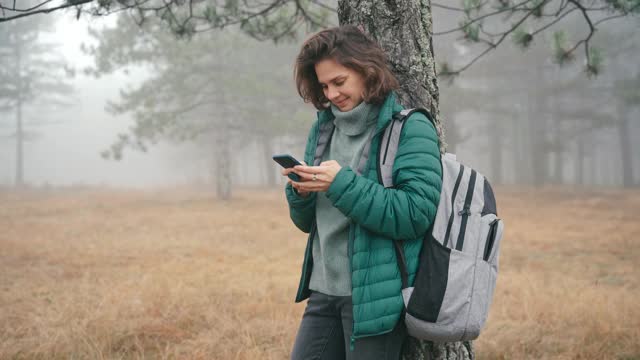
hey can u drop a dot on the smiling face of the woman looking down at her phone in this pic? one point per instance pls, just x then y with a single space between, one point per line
344 87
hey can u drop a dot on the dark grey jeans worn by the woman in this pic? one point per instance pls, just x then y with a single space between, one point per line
325 333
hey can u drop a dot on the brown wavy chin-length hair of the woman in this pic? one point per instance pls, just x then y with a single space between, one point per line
351 48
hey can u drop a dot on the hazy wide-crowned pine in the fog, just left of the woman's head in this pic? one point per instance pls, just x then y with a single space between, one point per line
203 90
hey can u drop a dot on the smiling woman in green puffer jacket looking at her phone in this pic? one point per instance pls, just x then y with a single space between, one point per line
350 274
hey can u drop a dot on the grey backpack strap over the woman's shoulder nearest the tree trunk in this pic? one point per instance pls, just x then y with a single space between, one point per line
391 141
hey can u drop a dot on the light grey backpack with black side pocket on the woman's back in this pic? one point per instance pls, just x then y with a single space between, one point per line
458 265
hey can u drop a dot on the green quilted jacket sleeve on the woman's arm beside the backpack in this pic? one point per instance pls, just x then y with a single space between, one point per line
403 212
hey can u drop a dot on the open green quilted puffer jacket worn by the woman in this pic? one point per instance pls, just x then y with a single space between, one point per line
378 216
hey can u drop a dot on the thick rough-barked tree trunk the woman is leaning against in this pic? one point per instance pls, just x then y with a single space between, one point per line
404 29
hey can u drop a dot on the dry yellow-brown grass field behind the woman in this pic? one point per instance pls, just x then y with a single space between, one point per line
177 274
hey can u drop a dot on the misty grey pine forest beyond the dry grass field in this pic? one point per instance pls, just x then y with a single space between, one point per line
222 101
